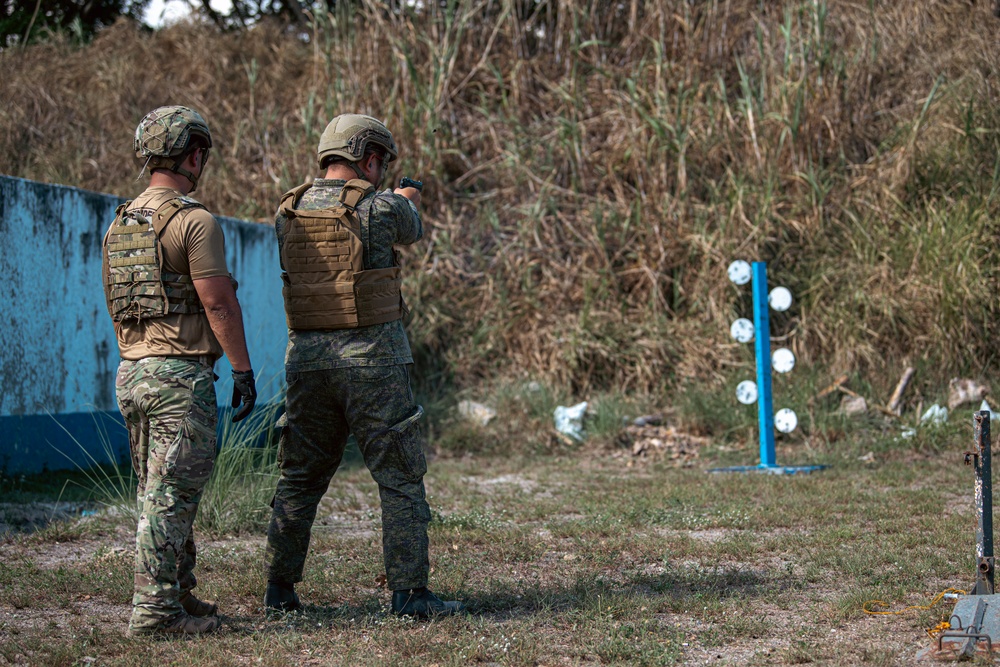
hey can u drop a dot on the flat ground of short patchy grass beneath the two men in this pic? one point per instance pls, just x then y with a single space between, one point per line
589 556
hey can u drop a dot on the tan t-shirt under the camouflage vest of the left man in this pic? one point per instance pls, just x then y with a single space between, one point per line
193 244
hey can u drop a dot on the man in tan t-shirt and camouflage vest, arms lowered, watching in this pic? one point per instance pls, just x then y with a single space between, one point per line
175 312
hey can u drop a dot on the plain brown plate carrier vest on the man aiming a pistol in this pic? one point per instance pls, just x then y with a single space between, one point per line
326 284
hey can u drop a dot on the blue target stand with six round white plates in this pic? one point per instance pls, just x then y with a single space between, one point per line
748 392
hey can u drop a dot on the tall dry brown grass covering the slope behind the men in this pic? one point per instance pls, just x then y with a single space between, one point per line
592 168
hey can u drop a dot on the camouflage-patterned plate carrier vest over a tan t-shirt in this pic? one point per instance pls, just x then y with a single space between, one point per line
135 285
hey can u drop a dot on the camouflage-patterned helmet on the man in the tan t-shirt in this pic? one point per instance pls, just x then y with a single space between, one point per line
163 139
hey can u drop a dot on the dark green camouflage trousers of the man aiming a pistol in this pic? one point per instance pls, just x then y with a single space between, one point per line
376 405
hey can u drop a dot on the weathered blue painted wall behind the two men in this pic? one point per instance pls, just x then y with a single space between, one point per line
58 355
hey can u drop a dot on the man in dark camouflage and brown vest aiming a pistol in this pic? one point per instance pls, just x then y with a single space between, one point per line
347 362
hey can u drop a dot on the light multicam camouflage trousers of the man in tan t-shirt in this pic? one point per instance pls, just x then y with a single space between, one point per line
170 409
